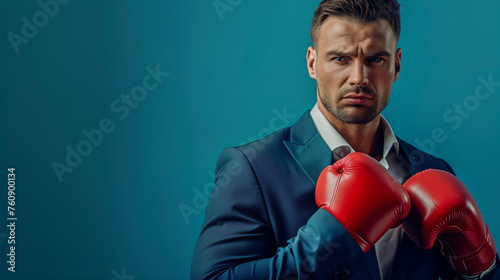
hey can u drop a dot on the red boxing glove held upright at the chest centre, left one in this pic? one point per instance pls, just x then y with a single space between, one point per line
363 196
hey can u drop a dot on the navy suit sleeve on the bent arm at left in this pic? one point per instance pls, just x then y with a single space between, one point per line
237 240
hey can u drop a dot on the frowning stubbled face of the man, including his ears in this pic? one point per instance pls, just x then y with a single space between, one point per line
354 66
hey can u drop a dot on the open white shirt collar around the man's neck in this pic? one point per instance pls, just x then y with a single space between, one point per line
337 143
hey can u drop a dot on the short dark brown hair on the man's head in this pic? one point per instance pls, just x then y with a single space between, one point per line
364 11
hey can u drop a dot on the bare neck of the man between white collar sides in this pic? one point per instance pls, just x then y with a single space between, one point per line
365 138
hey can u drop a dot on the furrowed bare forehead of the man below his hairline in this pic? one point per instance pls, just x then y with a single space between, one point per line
345 31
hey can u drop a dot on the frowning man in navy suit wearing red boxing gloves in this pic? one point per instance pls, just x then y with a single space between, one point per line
263 221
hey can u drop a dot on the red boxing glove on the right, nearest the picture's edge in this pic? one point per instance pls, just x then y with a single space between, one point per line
443 208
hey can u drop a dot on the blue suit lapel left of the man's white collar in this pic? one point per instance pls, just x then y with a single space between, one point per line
308 148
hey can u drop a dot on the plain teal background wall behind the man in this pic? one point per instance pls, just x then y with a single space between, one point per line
119 208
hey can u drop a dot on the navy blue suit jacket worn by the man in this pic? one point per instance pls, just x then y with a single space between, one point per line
262 221
